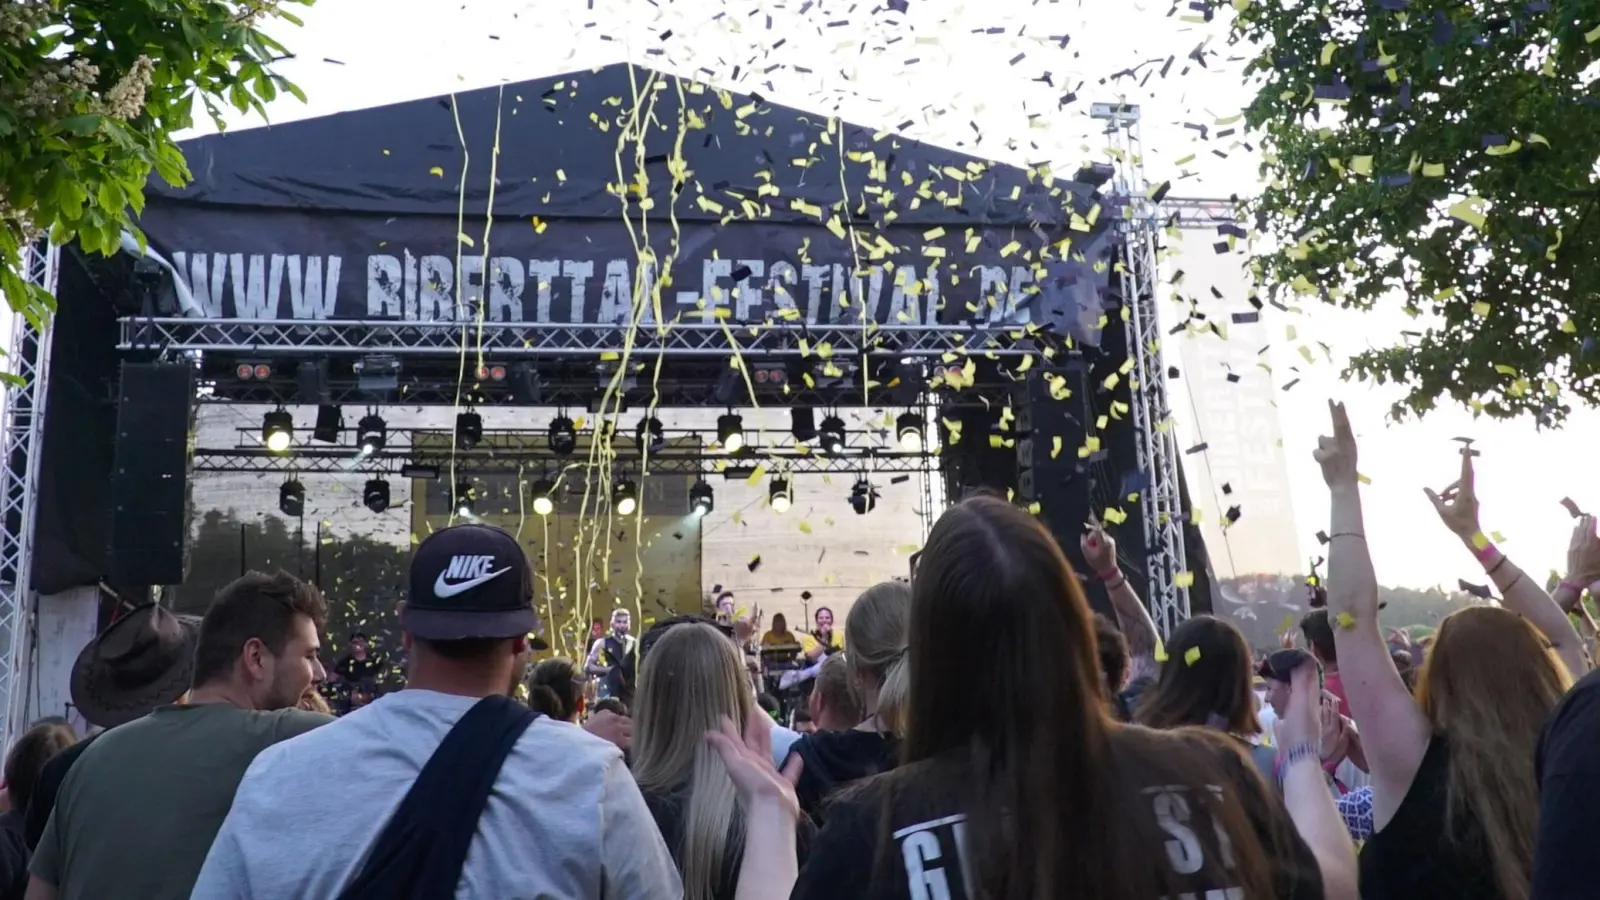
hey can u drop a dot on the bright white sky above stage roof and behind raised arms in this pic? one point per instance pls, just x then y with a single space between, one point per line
962 89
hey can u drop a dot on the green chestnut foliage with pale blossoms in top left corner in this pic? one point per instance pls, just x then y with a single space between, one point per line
92 94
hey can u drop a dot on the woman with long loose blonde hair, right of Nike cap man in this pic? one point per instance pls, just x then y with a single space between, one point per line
694 680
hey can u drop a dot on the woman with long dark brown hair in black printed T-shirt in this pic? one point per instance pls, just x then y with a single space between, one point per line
1015 784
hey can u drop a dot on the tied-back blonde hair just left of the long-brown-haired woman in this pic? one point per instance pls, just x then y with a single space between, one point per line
876 651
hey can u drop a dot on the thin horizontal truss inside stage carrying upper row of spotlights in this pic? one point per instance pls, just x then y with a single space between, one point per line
534 462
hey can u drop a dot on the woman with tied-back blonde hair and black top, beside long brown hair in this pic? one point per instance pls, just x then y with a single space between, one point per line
876 664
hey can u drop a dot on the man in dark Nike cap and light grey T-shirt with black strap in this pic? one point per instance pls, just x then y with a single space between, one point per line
527 806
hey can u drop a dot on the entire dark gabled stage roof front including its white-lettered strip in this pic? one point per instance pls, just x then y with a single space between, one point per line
735 207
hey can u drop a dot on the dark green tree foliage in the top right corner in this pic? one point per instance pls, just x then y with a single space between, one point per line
1439 156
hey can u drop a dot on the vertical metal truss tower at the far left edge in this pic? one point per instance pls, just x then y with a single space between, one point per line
28 360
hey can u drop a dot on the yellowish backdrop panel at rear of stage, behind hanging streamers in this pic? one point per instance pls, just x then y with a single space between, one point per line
586 558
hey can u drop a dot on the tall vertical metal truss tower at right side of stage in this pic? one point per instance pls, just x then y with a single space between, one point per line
1158 449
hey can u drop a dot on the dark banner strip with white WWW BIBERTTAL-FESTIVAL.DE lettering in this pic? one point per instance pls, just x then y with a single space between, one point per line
318 267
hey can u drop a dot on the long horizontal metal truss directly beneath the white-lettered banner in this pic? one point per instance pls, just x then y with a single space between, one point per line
524 340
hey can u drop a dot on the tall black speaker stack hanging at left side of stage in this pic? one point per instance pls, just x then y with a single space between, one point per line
150 496
